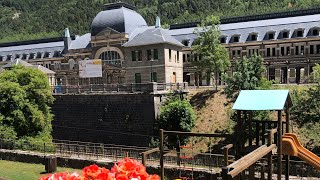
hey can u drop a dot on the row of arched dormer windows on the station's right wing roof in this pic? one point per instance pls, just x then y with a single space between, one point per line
271 35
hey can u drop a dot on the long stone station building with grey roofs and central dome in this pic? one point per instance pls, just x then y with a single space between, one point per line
133 52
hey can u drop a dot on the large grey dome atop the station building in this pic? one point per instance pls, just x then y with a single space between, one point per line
122 19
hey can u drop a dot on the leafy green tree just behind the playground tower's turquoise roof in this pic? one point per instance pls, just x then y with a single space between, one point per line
247 75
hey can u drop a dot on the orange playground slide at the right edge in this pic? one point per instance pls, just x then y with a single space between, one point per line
291 146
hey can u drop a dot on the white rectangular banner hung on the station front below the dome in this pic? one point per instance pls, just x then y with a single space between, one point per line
90 68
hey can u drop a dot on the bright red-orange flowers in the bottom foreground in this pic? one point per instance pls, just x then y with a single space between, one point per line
127 169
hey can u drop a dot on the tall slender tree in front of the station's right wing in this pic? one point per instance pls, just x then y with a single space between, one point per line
215 58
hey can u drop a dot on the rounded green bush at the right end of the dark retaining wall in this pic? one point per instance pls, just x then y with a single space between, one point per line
176 115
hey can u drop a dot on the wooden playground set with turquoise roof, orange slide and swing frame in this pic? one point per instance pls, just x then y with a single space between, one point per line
253 141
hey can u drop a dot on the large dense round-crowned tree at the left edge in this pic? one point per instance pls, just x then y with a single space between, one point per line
25 99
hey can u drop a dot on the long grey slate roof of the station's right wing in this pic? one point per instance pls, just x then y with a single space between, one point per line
261 27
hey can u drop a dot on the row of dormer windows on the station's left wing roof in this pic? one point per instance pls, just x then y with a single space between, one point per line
38 55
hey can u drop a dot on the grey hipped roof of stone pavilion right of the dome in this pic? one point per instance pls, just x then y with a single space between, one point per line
152 36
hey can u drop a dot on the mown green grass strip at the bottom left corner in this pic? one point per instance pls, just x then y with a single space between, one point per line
17 171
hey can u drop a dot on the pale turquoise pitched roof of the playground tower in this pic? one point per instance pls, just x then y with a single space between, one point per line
259 100
